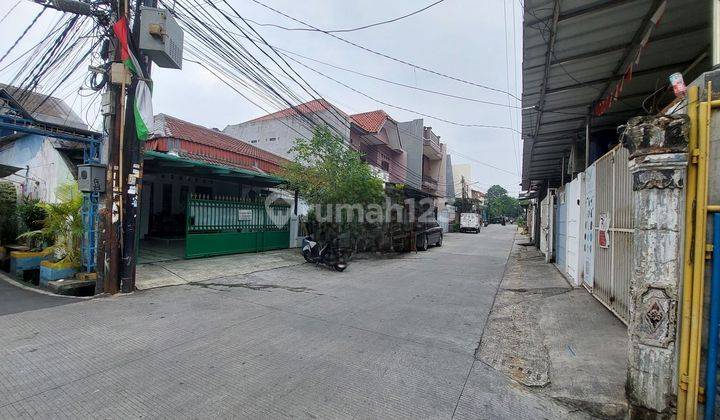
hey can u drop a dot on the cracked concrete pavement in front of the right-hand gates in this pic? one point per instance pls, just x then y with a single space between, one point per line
554 339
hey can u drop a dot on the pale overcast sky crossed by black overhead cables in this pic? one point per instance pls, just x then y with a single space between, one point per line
468 39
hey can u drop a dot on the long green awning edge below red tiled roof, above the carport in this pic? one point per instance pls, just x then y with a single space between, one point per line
184 165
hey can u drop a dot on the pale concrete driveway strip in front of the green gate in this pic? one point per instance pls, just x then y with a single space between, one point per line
177 272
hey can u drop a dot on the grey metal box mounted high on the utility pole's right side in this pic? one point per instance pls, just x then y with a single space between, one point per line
161 38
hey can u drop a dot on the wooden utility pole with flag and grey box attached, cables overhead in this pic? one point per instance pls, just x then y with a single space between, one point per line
126 73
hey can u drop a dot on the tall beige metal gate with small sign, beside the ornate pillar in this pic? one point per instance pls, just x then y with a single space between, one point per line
613 232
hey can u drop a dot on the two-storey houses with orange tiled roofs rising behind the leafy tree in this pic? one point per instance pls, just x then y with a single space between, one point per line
407 153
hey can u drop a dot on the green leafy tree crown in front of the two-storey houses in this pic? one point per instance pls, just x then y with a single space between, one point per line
327 171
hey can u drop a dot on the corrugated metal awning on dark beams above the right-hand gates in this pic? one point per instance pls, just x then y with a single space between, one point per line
602 62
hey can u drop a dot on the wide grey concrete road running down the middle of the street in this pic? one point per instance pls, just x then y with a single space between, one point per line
388 338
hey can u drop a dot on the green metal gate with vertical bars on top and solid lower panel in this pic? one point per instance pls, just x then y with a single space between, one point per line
219 227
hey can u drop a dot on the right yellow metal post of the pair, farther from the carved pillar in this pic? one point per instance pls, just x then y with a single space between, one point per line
698 256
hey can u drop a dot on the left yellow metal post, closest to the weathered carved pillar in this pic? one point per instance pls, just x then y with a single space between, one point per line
691 183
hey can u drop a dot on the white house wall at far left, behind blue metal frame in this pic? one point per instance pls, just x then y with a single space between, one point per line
46 170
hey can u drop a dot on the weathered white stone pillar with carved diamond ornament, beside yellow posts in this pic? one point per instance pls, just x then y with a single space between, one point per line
658 162
